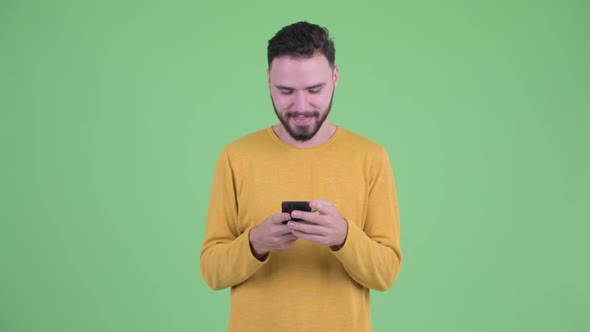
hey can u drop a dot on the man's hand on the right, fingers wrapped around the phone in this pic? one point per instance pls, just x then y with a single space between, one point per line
327 227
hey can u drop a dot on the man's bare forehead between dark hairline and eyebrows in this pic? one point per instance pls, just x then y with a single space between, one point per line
286 70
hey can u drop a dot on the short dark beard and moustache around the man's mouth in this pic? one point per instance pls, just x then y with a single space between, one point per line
306 132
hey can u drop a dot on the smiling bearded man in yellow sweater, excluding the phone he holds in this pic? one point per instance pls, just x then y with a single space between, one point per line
314 274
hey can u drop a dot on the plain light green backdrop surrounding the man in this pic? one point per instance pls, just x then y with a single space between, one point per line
113 114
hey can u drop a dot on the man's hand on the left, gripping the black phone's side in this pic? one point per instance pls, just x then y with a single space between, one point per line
271 235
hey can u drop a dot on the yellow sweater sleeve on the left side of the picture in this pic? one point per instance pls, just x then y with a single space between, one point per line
226 258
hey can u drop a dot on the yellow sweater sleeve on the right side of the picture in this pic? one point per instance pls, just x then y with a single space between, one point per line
372 255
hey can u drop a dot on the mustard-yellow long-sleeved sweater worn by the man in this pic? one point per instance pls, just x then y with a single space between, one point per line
308 287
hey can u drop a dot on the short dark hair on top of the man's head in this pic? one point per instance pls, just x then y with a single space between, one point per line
301 40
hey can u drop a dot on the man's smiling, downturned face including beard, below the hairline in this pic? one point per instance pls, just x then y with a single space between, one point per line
301 90
